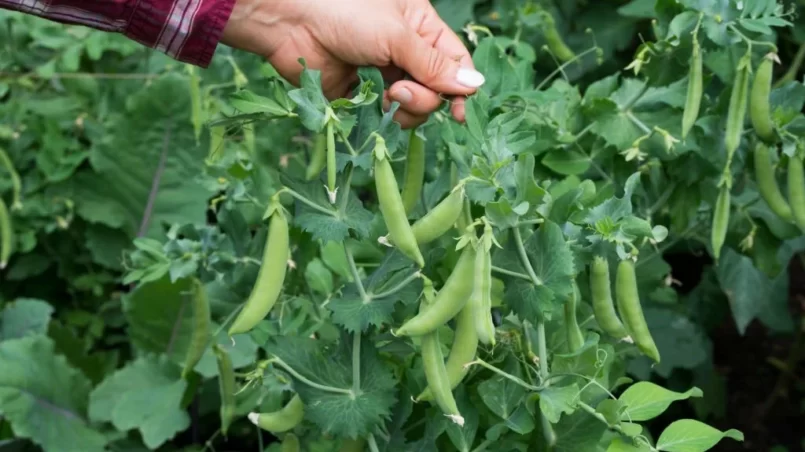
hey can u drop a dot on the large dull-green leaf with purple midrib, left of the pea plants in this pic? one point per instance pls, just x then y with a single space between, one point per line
150 144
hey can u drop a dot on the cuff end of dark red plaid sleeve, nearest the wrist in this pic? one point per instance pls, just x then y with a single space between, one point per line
186 30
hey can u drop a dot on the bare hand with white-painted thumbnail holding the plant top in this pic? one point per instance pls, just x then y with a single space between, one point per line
337 36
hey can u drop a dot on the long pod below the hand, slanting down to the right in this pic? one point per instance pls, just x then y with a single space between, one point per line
391 206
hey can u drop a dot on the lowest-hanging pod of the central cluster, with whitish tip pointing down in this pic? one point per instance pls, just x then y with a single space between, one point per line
435 370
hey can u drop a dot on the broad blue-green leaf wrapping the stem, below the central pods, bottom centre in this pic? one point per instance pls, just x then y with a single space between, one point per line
331 365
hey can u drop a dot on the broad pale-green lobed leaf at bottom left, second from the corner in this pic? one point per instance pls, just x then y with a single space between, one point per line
145 395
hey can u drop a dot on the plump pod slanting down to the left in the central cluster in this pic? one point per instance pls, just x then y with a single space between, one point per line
449 301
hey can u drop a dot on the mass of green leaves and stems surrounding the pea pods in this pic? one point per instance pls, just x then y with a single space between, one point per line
138 175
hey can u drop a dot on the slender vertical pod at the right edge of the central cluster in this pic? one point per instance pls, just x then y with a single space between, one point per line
481 298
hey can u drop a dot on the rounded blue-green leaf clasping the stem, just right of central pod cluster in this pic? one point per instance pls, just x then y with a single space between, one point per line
552 261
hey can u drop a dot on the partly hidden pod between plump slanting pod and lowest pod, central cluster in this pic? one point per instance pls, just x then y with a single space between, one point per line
462 351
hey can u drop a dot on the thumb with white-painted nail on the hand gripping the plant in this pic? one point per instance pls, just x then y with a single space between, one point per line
433 68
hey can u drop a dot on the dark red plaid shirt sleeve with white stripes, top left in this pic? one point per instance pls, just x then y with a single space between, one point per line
187 30
